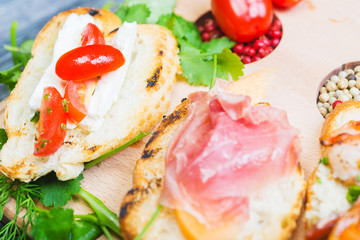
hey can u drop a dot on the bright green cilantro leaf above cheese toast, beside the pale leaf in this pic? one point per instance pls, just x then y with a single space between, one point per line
136 13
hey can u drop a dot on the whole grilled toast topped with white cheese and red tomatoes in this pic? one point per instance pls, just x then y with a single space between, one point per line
112 80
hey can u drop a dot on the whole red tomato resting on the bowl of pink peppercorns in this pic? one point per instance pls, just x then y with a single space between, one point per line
243 20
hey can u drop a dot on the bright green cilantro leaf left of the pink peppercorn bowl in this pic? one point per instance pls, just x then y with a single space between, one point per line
181 28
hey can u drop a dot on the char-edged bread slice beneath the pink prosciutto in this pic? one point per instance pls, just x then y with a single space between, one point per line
273 212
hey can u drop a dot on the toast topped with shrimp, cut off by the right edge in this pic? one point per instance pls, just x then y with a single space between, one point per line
338 171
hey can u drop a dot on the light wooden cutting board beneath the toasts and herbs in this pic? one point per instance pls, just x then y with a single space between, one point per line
317 37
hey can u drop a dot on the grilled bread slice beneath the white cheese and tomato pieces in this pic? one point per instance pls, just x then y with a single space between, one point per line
143 99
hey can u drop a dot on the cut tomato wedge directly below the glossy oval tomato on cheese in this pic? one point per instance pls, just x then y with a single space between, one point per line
77 95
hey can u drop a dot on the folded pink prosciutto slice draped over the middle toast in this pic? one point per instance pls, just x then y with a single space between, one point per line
226 151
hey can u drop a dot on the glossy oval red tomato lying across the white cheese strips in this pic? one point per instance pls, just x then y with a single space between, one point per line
88 62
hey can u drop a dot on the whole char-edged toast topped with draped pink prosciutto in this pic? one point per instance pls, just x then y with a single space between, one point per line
221 168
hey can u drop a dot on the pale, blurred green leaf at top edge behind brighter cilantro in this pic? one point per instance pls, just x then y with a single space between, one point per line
157 8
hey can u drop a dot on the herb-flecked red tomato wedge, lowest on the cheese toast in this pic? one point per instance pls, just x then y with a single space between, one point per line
52 123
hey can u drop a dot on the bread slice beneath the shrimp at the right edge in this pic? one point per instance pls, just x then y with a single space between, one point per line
326 194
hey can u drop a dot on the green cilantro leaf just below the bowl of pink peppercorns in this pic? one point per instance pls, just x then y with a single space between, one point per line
229 62
